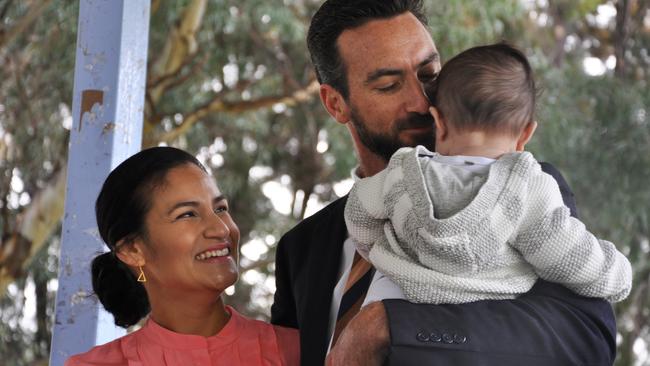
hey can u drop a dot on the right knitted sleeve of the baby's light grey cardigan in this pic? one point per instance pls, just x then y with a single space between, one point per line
562 250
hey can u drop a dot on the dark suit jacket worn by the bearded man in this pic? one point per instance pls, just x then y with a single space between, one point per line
549 325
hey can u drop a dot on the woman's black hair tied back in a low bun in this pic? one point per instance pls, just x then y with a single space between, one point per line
121 207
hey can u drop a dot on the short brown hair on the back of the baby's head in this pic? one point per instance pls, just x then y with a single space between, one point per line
487 88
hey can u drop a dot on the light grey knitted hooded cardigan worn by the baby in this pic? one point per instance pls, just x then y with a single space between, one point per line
513 230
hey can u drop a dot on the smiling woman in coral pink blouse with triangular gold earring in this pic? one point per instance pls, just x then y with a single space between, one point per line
173 251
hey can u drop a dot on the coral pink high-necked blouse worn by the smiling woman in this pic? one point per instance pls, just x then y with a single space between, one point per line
242 341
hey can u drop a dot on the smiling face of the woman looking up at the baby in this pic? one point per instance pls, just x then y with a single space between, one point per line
191 242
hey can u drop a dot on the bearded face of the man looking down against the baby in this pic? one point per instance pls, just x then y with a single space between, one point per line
387 61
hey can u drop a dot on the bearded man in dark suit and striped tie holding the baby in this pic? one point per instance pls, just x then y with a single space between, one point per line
371 57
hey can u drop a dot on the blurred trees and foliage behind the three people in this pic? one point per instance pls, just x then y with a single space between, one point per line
230 81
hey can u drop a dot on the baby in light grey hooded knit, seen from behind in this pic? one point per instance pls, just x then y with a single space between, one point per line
477 219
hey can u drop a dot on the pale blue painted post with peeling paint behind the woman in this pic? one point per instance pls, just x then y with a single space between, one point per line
108 104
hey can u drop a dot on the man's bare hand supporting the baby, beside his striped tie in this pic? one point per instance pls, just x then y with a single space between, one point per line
364 341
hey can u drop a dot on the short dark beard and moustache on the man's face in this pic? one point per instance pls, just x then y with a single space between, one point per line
385 144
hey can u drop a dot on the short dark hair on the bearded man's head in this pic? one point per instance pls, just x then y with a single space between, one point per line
336 16
